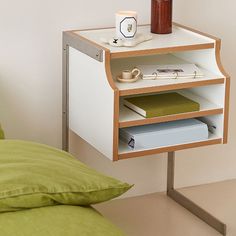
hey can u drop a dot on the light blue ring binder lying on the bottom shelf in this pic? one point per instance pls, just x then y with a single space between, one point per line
164 134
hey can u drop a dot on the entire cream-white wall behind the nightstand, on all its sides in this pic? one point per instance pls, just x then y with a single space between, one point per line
30 82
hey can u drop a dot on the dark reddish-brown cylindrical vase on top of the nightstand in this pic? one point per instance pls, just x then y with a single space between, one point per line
161 16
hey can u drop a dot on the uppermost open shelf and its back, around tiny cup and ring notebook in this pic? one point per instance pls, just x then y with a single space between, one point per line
150 86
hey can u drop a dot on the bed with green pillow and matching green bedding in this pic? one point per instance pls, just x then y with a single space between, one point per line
46 191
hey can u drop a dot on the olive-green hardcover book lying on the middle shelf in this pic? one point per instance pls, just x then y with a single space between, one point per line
161 104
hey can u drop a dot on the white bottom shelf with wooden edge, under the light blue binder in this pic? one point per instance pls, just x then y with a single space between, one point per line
126 152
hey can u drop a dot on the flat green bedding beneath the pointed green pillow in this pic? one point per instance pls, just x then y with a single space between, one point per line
57 221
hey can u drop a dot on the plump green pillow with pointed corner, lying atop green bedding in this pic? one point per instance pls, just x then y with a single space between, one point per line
35 175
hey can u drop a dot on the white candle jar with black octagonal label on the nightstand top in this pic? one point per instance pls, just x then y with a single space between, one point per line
126 24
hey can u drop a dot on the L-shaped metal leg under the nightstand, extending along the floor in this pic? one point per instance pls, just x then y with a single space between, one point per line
187 203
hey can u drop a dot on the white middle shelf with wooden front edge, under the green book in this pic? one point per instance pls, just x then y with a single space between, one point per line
130 118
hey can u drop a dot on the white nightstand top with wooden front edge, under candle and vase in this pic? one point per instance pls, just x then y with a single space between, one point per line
181 39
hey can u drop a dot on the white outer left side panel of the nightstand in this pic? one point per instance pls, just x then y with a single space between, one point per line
91 102
